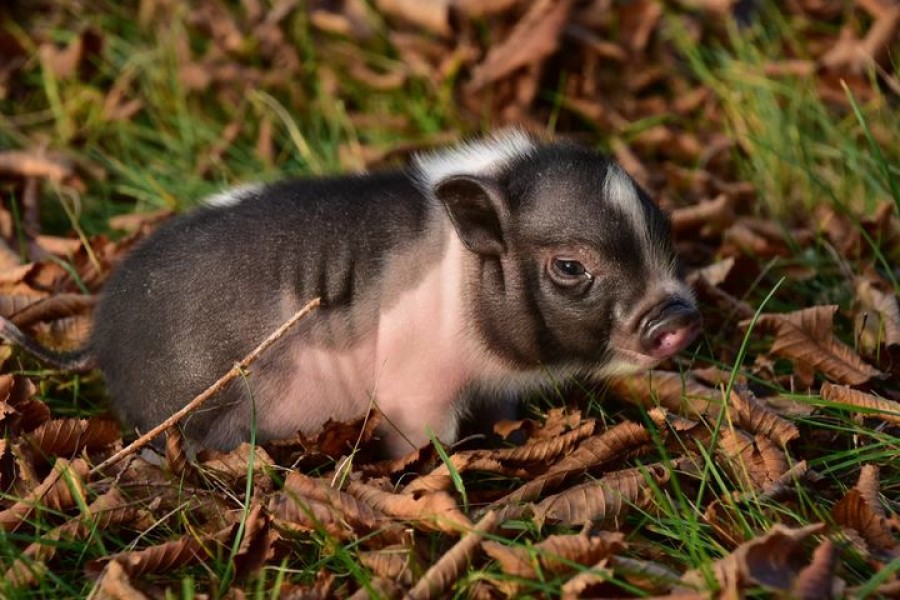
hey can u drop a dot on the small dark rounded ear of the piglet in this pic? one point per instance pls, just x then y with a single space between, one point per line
478 210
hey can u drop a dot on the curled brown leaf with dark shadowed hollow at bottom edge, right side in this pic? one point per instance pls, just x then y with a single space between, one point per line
772 560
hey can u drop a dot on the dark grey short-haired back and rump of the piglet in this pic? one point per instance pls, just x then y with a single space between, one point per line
206 288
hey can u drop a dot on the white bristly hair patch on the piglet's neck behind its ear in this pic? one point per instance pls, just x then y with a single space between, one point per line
485 156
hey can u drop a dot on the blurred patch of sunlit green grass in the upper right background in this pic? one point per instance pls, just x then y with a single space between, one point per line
797 149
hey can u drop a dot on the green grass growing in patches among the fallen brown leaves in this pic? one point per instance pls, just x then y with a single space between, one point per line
798 152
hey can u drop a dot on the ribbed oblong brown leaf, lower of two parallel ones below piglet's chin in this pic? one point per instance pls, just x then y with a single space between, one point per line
606 498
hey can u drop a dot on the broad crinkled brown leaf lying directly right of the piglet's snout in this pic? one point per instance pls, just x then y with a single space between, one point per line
805 336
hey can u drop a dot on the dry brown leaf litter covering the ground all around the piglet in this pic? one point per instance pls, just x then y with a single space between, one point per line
558 505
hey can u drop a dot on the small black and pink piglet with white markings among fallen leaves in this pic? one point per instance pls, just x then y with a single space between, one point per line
479 274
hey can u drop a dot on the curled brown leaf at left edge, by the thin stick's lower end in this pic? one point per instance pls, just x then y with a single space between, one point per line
60 490
